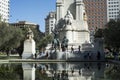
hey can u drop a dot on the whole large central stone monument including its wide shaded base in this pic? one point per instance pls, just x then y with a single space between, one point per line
73 32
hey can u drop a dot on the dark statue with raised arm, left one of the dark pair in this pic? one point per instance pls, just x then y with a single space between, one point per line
55 42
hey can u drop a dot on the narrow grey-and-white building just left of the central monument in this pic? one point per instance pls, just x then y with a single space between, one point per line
50 21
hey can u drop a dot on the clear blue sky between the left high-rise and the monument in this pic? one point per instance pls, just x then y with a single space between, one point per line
34 11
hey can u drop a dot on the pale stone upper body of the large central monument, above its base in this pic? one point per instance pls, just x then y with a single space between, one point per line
72 22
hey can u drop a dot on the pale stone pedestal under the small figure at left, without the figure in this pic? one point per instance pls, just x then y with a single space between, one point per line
29 49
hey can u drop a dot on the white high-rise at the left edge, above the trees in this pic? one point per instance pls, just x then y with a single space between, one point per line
4 10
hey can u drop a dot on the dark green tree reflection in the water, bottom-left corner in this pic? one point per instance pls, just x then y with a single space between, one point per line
7 71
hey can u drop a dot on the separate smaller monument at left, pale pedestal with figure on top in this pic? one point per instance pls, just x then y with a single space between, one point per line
29 46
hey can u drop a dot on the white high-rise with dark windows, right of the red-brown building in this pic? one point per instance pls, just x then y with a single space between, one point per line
113 9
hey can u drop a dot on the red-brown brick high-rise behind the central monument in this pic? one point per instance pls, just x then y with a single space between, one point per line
96 12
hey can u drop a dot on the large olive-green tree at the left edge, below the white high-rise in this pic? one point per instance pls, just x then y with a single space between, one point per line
10 37
